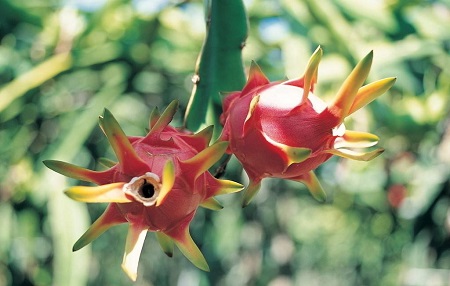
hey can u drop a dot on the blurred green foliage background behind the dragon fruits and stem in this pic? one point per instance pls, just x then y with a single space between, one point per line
386 222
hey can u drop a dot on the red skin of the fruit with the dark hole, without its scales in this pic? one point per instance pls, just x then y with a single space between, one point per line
185 196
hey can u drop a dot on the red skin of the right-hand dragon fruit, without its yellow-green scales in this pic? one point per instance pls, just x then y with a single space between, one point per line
302 127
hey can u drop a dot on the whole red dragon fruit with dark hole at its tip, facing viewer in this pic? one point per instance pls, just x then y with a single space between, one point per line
157 185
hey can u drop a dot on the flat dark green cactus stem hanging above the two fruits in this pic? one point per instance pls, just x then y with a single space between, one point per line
219 67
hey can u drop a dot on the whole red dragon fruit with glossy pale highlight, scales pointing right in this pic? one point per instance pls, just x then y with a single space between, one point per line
283 130
